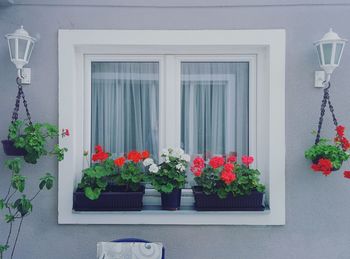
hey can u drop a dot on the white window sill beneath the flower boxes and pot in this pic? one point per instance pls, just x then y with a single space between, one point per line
185 216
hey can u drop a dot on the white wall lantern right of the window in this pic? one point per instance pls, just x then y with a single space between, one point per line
329 50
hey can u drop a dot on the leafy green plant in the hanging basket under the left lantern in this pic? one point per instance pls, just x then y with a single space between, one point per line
34 137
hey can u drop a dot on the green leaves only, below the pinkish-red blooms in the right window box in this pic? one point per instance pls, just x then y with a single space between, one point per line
247 180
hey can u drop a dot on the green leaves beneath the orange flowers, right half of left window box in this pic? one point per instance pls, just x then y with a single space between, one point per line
130 175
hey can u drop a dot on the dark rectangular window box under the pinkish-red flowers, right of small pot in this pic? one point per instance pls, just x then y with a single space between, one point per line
251 202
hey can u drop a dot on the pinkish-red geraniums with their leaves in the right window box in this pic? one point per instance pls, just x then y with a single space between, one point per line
222 177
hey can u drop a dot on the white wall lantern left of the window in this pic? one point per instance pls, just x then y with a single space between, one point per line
21 45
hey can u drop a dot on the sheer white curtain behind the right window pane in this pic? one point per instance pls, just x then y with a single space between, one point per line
215 107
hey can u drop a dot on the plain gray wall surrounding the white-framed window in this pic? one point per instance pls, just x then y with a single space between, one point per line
318 222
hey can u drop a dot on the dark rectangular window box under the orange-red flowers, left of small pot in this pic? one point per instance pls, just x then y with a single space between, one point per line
113 199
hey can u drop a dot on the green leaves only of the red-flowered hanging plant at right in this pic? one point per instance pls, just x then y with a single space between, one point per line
327 151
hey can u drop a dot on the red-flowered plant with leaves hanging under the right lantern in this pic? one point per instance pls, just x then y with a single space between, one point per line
327 156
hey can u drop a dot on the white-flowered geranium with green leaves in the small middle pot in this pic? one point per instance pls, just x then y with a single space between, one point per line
171 173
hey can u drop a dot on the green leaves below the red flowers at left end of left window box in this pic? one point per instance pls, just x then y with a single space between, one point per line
96 178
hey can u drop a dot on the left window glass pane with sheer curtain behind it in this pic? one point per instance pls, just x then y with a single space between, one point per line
124 106
